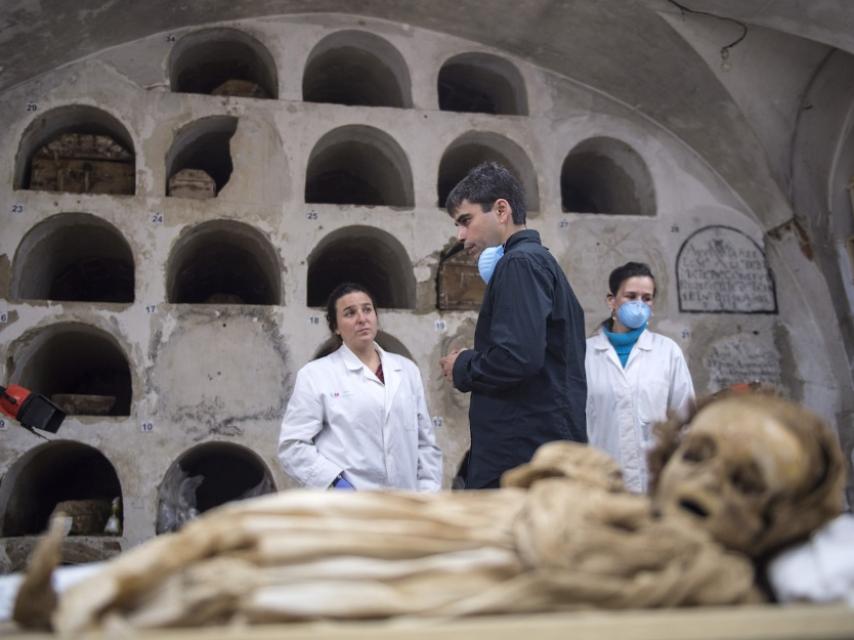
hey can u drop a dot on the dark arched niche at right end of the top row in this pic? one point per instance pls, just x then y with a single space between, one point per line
482 83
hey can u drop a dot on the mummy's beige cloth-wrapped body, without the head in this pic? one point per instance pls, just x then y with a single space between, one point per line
564 543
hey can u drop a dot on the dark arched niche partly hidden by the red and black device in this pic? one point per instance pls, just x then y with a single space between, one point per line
79 367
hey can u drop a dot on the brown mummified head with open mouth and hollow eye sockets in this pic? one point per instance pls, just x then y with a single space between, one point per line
756 471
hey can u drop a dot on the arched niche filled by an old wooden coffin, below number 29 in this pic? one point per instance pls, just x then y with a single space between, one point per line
76 149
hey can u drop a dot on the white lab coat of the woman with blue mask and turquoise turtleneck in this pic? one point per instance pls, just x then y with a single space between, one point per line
623 404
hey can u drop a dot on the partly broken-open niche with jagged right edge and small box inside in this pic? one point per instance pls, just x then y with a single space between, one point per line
198 164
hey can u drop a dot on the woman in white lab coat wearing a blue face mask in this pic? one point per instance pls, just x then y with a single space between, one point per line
634 377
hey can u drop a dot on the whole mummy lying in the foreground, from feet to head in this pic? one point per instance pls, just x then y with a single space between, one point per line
561 534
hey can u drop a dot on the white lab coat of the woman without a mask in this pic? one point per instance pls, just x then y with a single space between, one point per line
342 418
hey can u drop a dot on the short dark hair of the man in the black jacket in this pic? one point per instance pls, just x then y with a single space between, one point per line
485 184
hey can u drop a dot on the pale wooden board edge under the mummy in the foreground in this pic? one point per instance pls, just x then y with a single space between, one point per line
807 622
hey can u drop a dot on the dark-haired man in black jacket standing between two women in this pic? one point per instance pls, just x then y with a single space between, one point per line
526 371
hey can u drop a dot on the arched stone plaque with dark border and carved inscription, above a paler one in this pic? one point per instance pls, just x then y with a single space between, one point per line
720 269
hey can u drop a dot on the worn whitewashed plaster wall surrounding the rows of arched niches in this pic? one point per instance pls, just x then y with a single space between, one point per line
223 373
